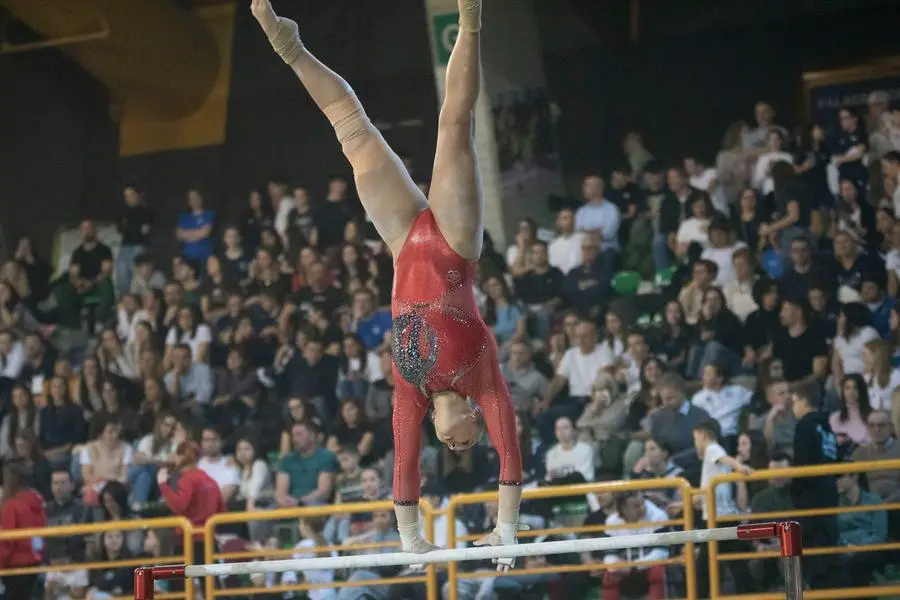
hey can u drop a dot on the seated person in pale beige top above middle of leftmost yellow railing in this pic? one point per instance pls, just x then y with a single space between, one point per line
104 459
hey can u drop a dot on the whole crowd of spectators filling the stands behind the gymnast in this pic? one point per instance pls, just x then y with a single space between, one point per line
683 319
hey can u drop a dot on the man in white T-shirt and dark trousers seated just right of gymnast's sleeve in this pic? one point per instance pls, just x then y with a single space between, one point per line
578 369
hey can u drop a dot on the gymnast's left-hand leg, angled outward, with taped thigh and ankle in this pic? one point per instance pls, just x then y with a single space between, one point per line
385 188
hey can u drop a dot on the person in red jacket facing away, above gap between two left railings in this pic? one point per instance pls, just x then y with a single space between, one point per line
190 492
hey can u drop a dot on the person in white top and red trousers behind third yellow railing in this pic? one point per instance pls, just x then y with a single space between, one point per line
649 582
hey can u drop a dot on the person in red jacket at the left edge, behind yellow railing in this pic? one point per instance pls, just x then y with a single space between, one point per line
22 508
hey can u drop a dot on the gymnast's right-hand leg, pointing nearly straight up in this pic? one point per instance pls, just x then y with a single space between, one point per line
455 197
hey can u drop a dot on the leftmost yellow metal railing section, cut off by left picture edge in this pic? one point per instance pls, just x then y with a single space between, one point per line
87 529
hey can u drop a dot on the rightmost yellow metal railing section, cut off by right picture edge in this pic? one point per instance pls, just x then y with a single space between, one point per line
793 473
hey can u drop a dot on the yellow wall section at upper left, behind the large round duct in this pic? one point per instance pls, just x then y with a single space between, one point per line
204 127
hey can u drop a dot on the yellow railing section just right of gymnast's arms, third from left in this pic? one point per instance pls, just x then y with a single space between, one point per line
546 493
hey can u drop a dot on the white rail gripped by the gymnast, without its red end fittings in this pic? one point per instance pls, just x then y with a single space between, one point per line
394 559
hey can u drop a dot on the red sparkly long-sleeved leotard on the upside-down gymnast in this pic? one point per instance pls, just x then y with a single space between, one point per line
441 343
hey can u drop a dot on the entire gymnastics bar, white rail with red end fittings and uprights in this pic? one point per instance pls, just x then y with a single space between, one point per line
787 533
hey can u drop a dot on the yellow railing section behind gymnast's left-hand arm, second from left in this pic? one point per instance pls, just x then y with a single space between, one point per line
307 512
